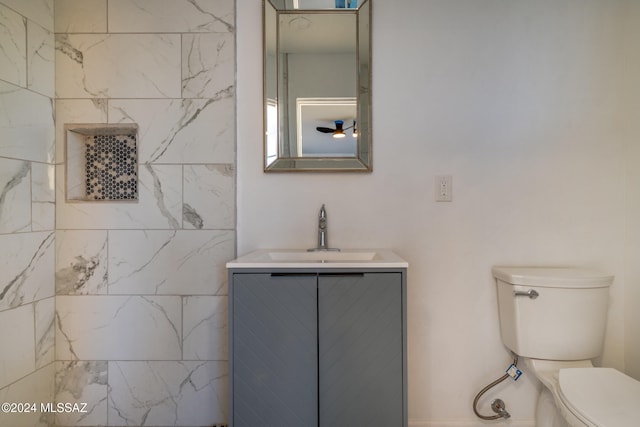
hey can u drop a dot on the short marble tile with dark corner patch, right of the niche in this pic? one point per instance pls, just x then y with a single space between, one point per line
209 197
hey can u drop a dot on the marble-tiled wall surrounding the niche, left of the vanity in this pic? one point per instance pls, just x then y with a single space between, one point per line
141 305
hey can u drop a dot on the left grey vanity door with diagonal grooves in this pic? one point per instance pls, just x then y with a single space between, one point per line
275 373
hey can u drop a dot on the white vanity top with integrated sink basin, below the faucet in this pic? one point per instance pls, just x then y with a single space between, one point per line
300 258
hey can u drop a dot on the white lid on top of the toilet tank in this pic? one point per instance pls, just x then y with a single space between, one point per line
553 277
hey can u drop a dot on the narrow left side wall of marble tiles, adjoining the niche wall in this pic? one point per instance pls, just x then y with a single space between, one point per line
26 207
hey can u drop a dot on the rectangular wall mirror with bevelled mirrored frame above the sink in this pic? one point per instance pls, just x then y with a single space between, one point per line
317 79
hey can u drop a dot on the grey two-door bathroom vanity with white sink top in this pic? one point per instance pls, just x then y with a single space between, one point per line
318 339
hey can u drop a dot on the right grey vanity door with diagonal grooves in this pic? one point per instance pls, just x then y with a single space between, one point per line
360 350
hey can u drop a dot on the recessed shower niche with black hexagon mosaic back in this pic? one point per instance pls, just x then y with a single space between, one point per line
102 162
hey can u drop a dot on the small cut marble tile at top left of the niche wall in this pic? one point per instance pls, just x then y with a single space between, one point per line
81 16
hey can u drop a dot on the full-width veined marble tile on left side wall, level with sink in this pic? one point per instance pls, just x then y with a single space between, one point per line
26 268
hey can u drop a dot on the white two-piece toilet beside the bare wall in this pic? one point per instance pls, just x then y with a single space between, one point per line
554 319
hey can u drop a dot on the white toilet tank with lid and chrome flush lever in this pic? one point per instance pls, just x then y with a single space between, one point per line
565 321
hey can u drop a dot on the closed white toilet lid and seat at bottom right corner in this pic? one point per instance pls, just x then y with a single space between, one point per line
602 397
